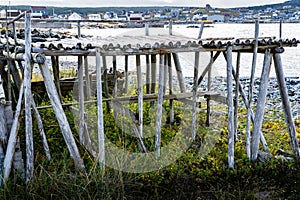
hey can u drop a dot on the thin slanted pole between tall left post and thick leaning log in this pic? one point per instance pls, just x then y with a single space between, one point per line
41 129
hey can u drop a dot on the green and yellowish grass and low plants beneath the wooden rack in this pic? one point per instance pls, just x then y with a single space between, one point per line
189 177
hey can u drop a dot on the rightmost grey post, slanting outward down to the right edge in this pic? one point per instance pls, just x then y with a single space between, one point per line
286 104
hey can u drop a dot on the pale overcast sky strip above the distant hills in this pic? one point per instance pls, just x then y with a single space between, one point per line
106 3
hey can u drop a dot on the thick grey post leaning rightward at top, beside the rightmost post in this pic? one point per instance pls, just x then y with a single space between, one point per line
260 108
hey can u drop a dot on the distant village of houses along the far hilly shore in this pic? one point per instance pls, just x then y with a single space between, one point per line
181 15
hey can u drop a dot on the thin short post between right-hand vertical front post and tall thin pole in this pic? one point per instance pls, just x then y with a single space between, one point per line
236 95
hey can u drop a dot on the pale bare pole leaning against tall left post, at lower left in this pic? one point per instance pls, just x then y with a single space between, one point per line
13 137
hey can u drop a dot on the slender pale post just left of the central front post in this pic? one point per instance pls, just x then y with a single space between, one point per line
140 93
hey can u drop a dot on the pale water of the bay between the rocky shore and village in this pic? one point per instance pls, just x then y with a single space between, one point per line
290 58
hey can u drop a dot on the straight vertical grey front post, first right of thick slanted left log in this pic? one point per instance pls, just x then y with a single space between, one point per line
100 110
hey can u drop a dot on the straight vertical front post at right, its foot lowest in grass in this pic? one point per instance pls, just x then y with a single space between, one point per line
230 109
